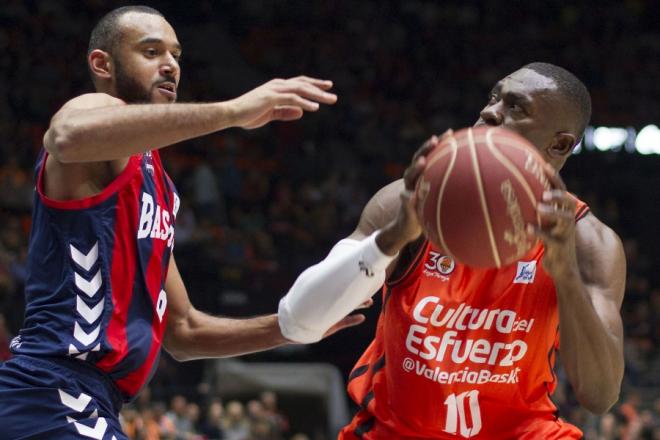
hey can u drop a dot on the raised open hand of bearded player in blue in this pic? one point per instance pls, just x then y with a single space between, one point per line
280 100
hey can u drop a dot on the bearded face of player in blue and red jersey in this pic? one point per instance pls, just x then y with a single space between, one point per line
146 61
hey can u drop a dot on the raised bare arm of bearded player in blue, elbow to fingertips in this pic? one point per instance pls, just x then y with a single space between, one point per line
97 127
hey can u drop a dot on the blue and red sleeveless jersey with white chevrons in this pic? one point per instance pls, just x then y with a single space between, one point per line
96 274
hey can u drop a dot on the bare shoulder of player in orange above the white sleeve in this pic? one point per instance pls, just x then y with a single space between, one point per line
381 209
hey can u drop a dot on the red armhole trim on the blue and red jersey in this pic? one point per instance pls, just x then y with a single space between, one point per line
87 202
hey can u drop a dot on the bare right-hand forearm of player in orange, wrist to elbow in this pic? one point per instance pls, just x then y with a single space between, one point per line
591 355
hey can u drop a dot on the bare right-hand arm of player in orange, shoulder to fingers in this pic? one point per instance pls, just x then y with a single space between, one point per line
588 266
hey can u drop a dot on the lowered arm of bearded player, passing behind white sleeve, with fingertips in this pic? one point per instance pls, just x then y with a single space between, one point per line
192 334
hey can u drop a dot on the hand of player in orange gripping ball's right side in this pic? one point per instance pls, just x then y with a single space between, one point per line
557 230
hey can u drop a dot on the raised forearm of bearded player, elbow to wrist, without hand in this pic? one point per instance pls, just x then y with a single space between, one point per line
114 132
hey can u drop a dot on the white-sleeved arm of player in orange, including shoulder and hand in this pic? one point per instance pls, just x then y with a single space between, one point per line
357 266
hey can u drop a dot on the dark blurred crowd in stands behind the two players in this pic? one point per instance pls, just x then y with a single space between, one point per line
260 206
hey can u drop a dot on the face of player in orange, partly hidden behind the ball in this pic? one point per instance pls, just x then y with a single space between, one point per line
528 103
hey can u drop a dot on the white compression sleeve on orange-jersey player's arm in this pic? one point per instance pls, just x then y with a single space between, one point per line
328 291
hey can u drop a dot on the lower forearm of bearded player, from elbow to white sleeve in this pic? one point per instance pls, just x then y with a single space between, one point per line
204 336
